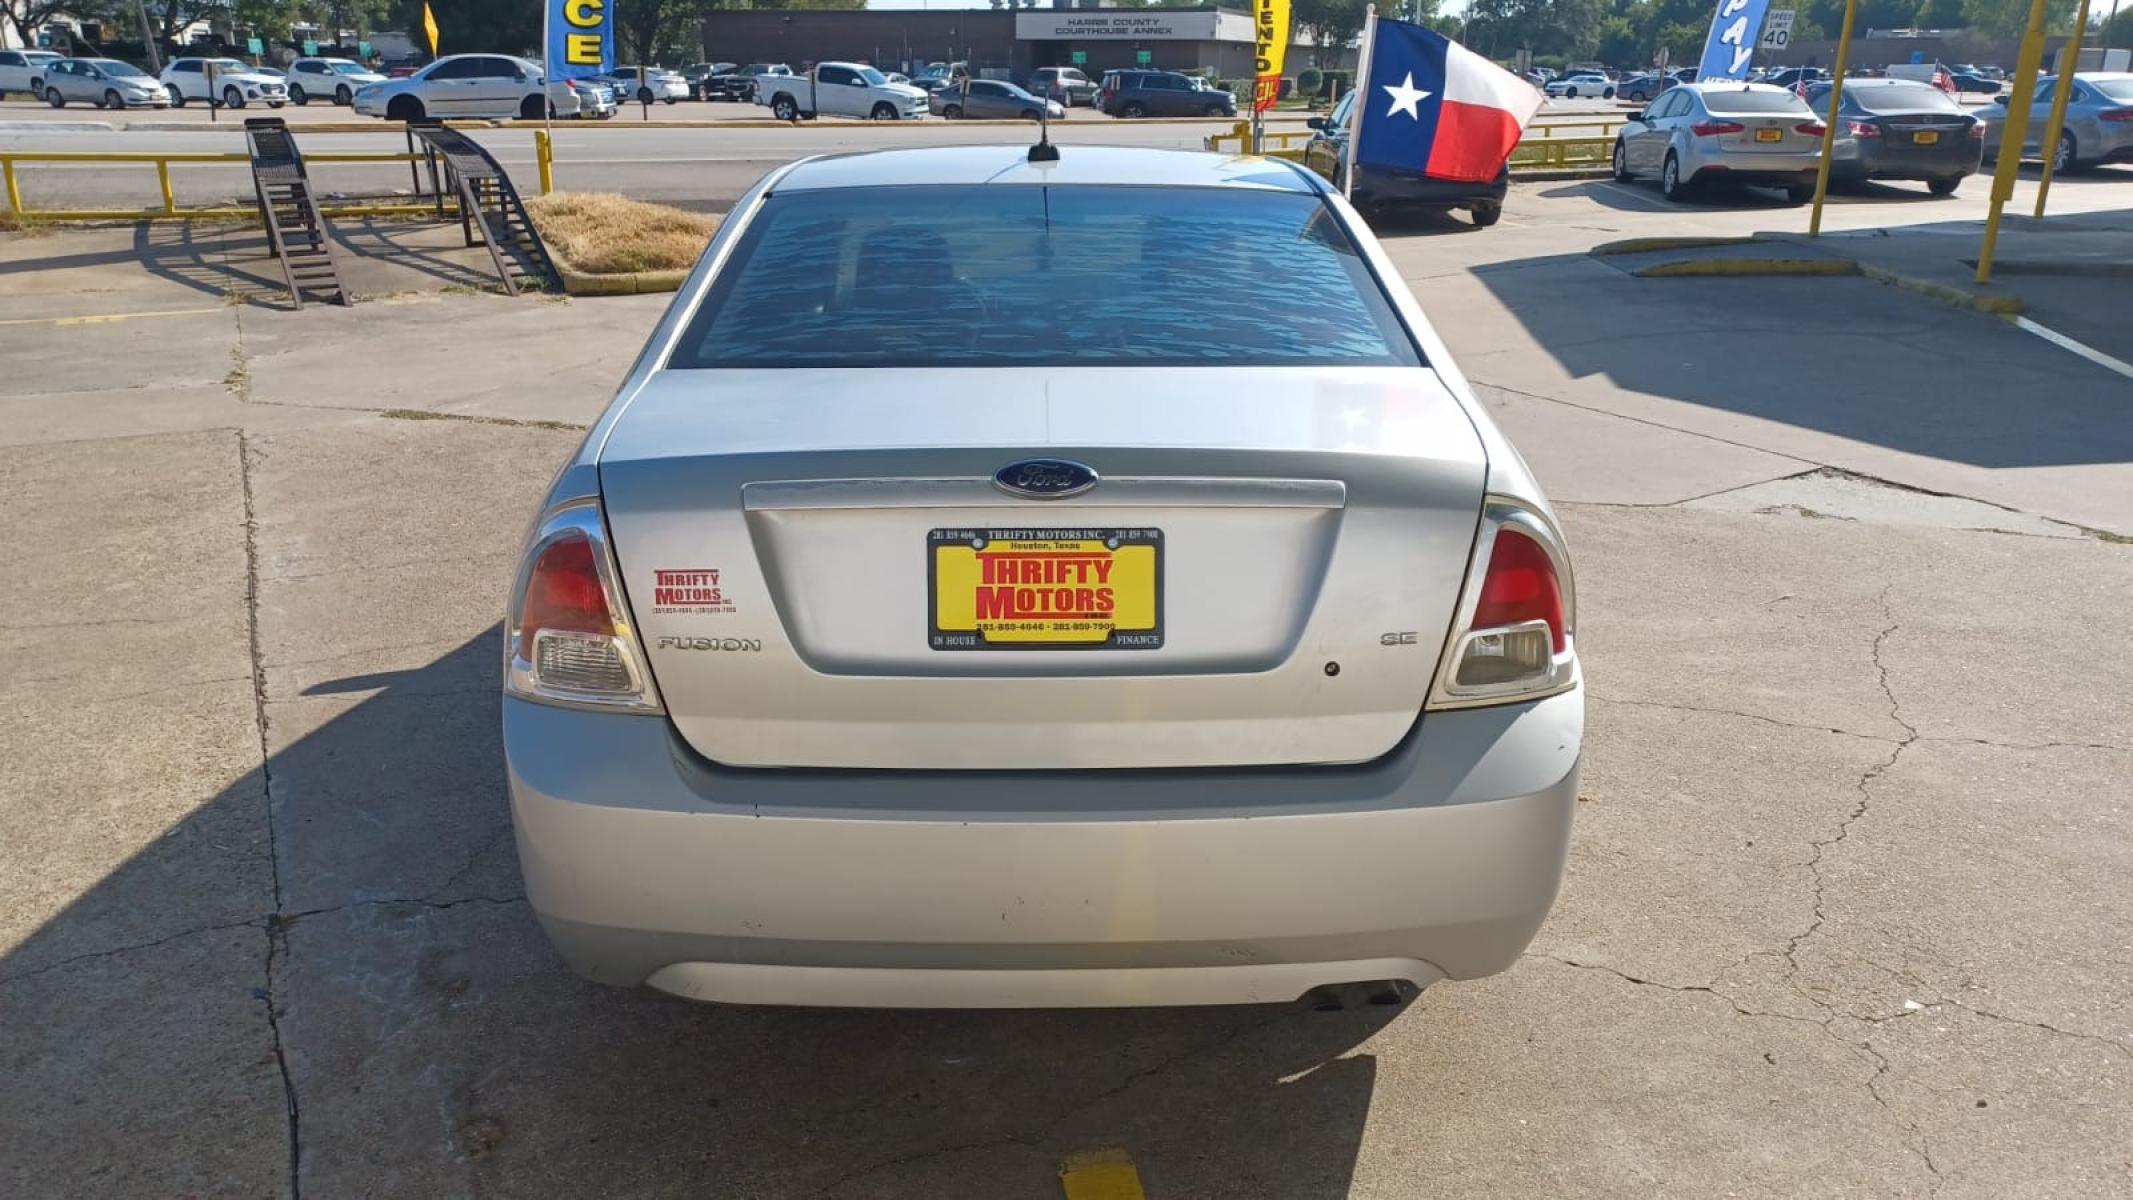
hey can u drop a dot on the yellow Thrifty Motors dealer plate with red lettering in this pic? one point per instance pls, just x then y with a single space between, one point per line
1046 589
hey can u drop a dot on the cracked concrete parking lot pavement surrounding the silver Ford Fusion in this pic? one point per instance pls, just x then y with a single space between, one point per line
1846 907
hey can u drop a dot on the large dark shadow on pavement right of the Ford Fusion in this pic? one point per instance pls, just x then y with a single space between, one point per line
1840 357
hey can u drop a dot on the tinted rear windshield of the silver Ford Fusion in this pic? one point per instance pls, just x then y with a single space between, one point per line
1025 276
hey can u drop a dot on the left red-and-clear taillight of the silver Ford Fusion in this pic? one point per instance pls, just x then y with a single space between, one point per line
568 636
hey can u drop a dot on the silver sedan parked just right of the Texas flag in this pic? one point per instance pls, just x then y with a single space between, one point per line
1725 133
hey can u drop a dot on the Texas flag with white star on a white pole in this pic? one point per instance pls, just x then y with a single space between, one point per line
1437 108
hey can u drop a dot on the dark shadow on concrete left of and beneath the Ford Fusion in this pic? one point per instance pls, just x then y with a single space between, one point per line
434 1045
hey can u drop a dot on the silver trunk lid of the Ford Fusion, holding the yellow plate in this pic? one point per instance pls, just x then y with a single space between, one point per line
824 572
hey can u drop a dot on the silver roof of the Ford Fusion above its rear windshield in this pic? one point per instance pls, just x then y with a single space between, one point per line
974 165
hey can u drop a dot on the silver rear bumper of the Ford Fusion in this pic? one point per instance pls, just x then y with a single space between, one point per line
649 866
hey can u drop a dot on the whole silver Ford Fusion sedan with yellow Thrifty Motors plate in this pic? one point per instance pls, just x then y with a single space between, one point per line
1016 583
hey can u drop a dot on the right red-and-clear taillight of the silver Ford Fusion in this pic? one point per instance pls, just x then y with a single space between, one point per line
1515 621
